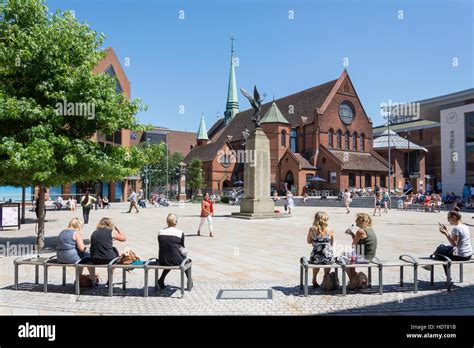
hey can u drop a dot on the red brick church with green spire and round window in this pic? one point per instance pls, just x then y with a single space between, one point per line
321 131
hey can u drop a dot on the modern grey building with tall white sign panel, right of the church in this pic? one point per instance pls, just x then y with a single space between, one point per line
444 126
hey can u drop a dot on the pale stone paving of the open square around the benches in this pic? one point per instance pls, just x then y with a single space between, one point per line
244 255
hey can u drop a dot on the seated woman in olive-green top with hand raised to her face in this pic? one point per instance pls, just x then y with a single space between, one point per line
364 241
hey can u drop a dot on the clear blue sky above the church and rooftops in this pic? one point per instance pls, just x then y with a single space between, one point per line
185 62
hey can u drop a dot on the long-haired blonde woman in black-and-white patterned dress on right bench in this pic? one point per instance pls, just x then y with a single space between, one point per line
321 236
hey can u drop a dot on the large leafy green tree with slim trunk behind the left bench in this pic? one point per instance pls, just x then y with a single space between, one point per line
46 60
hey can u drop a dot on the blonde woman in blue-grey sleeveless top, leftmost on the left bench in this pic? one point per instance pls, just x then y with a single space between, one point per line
71 247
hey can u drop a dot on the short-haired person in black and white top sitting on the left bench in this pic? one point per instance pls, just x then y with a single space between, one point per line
171 247
